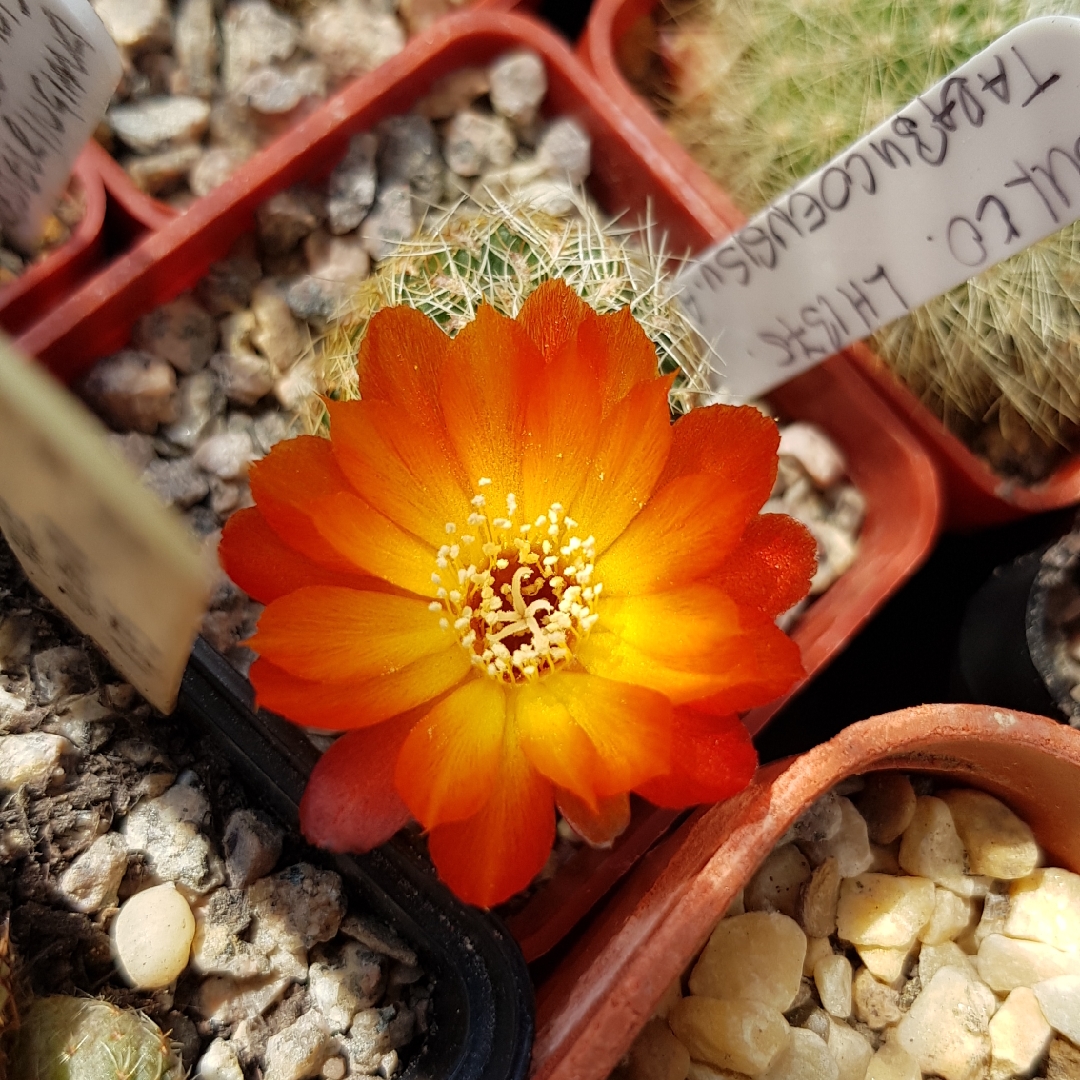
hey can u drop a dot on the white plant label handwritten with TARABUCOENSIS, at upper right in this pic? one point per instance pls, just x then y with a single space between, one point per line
977 169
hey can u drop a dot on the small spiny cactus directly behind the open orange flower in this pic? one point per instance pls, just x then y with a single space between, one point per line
498 256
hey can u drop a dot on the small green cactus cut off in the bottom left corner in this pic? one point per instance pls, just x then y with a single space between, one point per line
86 1039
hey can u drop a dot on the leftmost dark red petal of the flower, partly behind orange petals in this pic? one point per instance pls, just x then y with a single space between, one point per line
262 564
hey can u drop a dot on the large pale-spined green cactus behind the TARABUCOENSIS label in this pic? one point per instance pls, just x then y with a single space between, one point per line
771 90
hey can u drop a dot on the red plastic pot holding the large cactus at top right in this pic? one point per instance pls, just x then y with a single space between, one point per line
975 495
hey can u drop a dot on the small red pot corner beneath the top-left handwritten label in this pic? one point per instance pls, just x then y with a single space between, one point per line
46 283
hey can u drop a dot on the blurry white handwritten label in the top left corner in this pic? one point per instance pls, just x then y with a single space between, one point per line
59 69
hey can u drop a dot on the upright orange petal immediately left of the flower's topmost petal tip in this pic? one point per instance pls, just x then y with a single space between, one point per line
483 401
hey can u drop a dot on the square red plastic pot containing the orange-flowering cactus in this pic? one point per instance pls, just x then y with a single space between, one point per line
885 461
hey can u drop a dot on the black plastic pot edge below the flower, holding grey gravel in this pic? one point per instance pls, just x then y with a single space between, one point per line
482 1020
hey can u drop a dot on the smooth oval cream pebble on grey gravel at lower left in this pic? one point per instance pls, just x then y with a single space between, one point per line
152 937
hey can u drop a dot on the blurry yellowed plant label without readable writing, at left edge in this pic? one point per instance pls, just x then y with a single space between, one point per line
92 538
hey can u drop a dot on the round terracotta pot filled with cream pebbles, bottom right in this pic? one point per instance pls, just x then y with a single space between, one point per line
598 1001
